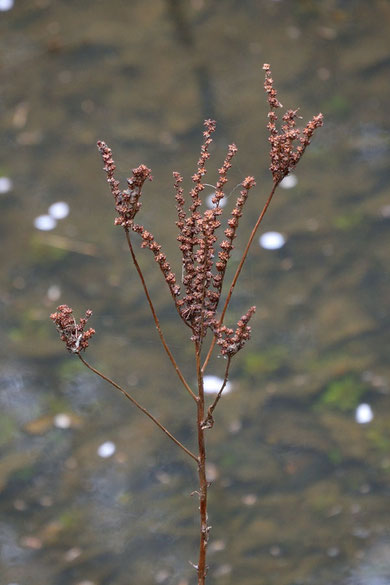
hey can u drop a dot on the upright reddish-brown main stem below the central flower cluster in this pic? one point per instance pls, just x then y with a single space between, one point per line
204 528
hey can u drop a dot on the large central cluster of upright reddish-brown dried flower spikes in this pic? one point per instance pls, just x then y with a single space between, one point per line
202 274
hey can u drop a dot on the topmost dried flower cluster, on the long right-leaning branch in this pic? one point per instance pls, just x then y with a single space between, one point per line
284 154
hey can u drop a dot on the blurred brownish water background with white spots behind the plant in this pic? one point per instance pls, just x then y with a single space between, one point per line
90 492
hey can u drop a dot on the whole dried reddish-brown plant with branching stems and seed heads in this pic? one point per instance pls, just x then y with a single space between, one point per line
204 263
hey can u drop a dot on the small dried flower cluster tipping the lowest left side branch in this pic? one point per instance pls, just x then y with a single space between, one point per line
72 333
